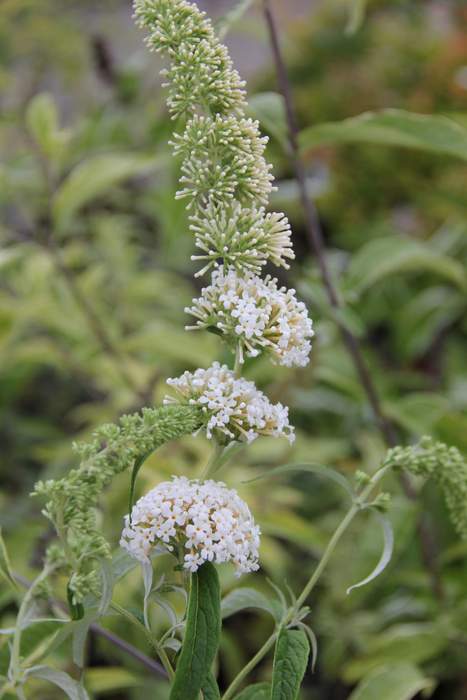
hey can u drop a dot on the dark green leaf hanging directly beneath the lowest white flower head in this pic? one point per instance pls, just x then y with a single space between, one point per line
202 634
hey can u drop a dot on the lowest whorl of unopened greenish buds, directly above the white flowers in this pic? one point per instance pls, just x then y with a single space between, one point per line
245 239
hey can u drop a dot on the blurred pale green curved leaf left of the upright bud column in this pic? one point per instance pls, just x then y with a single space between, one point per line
93 178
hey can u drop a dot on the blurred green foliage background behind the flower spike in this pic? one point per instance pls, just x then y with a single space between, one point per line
95 272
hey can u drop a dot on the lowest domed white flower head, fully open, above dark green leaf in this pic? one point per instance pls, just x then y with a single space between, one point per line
205 521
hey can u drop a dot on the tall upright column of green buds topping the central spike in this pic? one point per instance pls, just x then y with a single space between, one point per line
224 171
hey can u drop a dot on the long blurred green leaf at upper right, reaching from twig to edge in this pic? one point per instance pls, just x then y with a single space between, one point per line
392 127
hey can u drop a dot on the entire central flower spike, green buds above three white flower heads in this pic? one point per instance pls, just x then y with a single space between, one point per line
226 181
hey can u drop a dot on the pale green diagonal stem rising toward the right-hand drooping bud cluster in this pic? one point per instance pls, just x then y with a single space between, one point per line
342 527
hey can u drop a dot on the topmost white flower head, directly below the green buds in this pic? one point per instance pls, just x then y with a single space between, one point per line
255 315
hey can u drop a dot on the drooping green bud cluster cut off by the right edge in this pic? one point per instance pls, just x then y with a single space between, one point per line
445 465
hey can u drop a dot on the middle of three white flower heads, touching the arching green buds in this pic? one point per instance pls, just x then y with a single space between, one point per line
236 408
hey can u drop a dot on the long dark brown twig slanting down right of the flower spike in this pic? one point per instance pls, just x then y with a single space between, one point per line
316 243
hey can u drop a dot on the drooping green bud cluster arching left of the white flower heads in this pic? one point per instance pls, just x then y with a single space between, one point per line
72 500
